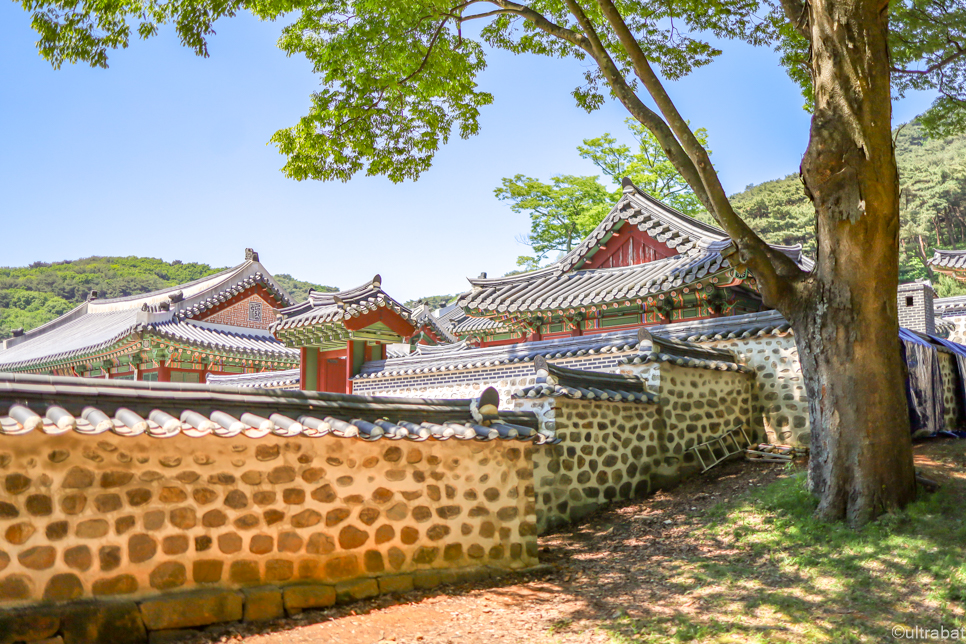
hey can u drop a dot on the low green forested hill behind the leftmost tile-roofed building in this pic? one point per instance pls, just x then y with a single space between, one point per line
40 292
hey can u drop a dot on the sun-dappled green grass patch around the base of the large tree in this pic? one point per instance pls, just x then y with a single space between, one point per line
769 572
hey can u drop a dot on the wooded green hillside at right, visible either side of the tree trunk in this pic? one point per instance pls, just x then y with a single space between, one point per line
932 177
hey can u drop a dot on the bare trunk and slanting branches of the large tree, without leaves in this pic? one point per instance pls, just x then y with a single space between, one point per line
844 313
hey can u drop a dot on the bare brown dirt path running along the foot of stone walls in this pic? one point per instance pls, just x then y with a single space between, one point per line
604 570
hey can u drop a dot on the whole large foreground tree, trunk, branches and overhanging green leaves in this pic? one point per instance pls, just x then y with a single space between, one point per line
400 78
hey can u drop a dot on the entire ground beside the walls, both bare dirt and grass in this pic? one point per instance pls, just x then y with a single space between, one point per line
732 556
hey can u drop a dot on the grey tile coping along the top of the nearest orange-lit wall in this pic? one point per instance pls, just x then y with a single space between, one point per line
88 406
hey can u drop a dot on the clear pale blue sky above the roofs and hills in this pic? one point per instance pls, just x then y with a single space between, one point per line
165 155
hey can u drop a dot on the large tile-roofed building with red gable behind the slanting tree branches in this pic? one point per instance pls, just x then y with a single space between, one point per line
645 264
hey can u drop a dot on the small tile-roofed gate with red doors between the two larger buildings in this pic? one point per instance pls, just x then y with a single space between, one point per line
337 332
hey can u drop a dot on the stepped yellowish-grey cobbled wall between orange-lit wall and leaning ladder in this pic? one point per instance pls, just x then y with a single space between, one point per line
615 451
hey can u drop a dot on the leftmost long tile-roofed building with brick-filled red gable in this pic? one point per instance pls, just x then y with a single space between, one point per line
217 324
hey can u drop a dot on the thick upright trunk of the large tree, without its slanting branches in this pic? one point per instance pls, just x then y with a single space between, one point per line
845 318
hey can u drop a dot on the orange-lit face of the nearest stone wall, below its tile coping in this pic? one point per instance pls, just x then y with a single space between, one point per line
109 516
